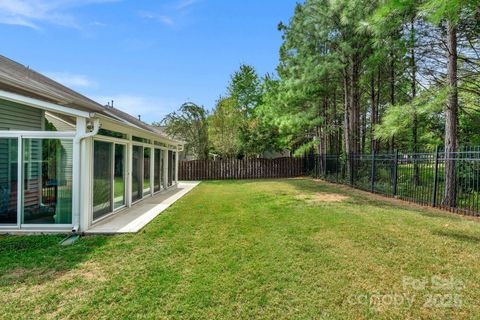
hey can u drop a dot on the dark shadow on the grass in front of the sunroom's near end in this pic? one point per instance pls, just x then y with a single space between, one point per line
36 259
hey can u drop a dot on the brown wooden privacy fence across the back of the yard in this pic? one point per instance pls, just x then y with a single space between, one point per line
241 169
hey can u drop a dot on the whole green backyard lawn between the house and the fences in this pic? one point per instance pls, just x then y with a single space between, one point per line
277 249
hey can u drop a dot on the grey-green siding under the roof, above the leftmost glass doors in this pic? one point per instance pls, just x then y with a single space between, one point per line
15 116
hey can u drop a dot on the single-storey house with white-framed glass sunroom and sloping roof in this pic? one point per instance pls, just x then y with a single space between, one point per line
67 162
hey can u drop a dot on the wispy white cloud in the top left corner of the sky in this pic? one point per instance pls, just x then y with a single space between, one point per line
34 13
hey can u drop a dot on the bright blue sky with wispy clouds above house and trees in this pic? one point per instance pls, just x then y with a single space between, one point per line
148 56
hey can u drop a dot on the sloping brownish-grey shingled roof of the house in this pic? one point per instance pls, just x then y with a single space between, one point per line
20 79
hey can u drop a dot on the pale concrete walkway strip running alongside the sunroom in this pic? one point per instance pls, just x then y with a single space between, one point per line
133 219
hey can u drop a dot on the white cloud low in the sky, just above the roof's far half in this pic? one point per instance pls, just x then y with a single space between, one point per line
149 108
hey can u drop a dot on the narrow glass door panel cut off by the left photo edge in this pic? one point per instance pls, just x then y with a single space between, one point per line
8 181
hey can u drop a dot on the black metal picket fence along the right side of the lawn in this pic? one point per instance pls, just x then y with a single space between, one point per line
415 177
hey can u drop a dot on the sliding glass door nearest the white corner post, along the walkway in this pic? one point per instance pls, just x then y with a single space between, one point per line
108 178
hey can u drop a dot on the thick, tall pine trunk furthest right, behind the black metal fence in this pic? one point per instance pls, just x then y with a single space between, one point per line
449 197
